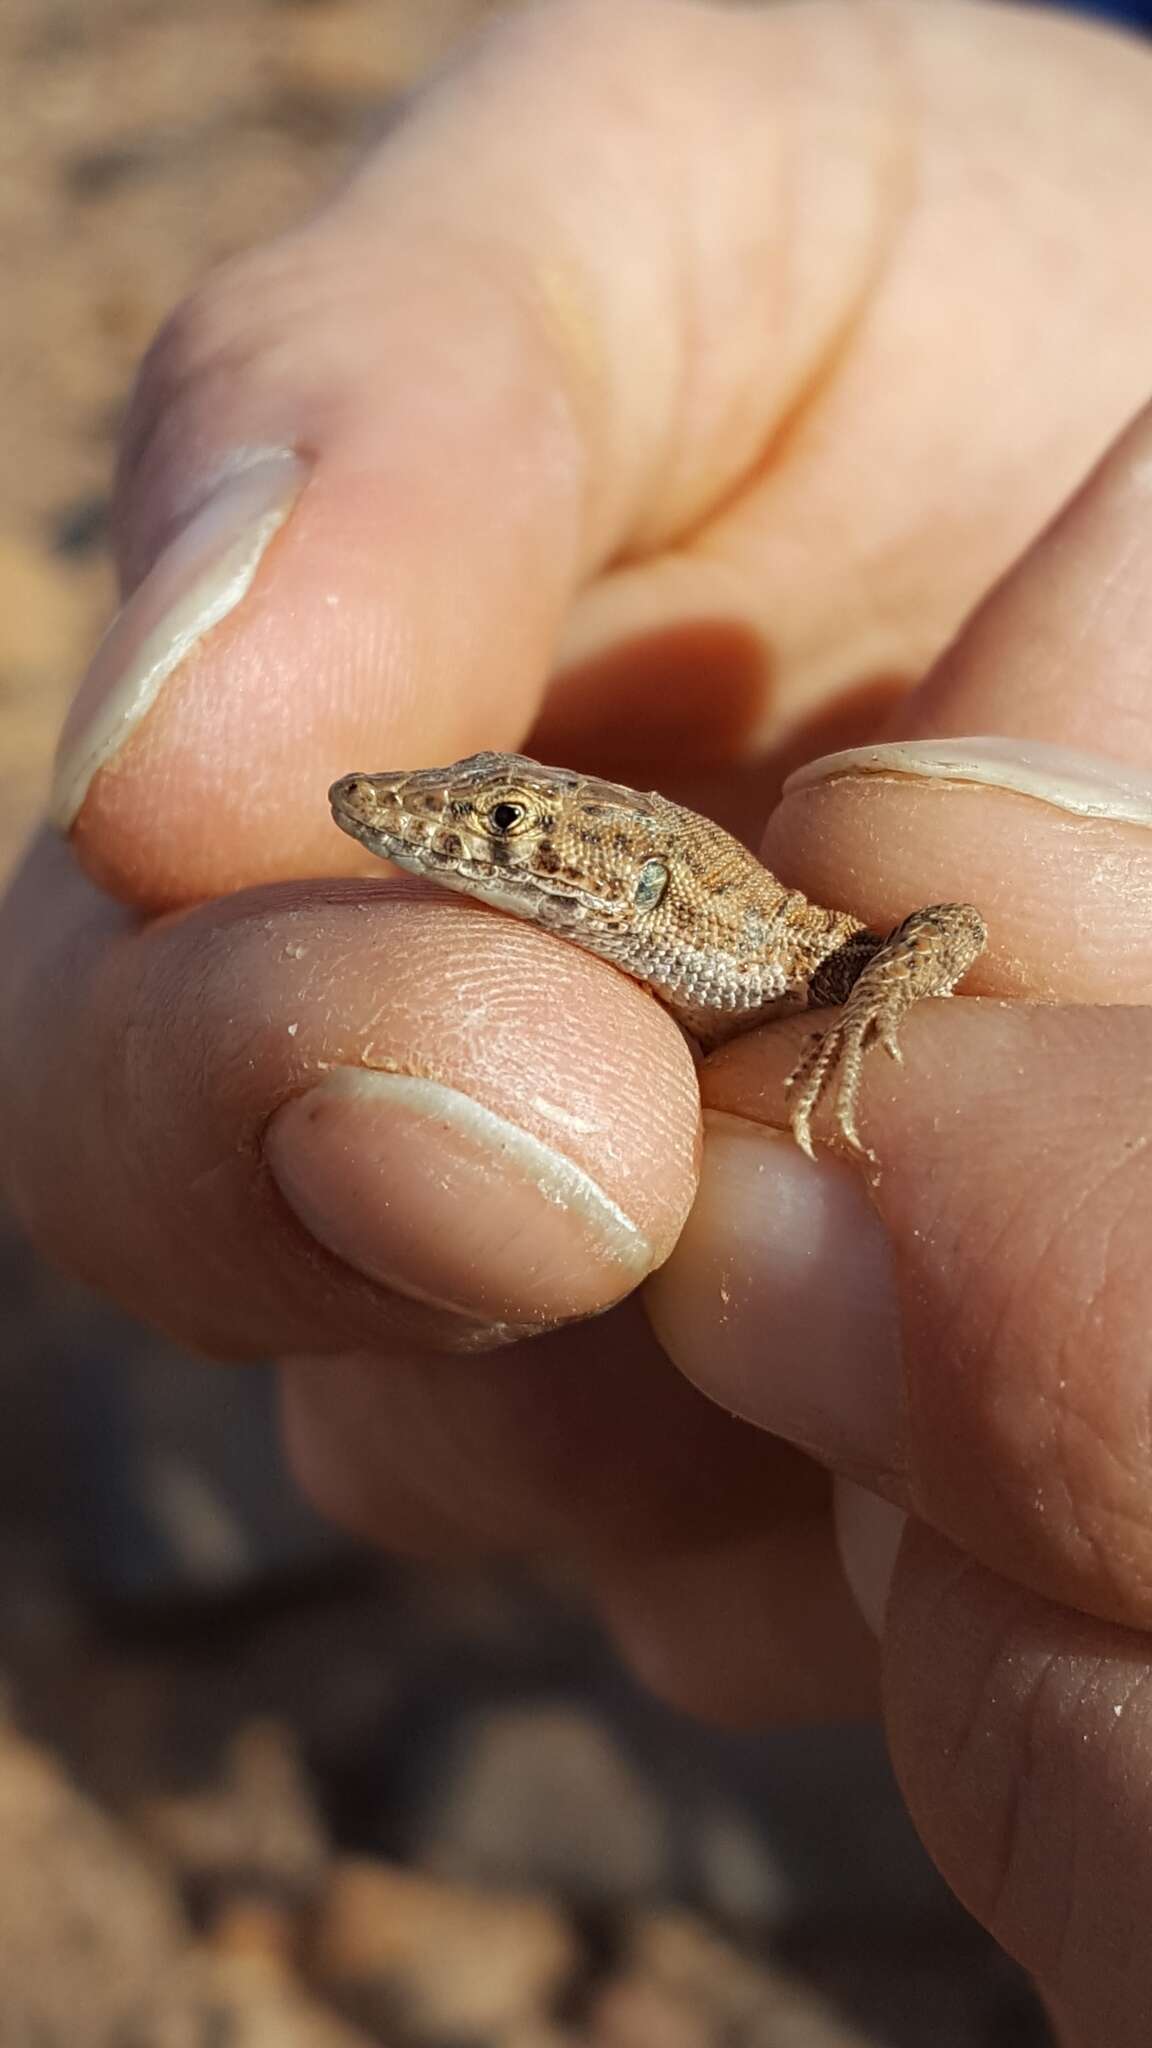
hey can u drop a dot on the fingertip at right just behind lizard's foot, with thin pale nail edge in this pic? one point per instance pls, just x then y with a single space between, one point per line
1051 845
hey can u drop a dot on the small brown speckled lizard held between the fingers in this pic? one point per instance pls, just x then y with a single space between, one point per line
669 898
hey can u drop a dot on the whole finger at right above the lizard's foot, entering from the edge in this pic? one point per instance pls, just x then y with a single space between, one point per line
1051 843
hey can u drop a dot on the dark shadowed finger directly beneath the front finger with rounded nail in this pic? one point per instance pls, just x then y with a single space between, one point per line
591 1451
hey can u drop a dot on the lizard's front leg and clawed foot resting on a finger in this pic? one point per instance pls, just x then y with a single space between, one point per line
925 955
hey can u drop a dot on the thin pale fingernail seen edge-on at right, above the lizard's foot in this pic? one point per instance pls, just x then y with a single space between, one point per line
1089 785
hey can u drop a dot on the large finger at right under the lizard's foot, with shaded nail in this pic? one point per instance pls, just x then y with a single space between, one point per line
969 1336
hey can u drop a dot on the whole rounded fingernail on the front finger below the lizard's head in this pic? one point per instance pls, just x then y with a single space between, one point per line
444 1201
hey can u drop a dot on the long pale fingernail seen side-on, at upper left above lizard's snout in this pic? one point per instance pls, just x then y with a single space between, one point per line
200 579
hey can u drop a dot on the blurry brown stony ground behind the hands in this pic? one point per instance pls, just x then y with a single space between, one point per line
257 1789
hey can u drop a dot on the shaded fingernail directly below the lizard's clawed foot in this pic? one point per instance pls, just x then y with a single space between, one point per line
780 1299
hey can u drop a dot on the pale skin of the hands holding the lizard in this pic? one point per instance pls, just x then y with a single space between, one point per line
741 388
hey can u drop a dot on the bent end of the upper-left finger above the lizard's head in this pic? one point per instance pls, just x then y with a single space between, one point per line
358 595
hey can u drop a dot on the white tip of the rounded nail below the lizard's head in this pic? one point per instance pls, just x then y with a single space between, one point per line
561 1181
